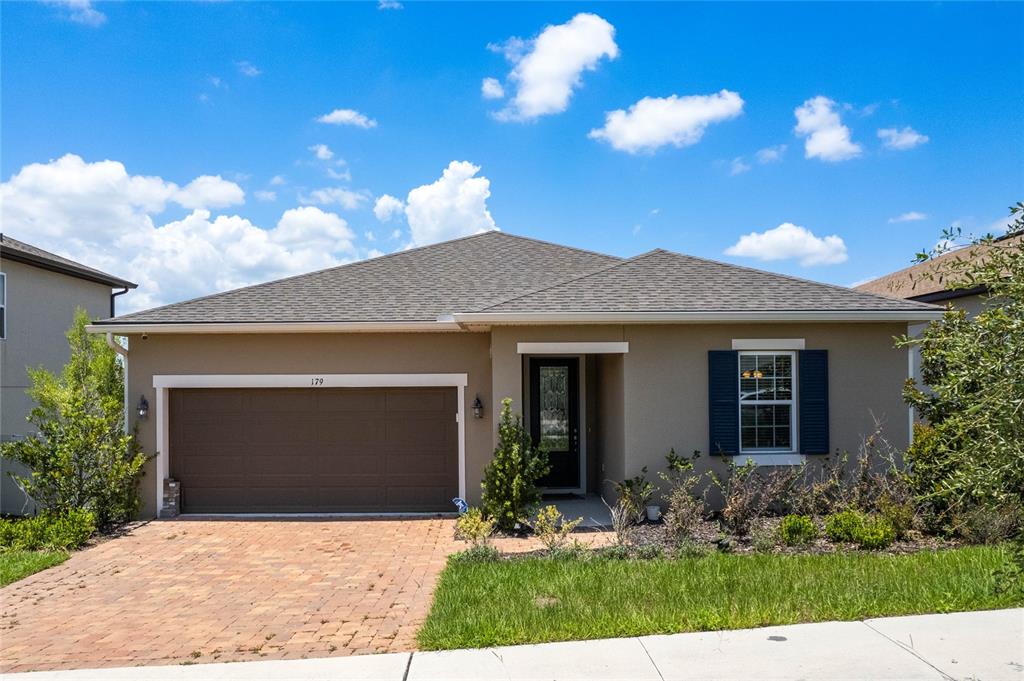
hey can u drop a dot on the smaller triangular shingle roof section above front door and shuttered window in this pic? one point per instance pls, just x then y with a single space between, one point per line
666 282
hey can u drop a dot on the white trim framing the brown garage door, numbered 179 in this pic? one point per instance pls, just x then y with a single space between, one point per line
163 384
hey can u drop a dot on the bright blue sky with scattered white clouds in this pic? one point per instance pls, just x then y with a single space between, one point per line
233 93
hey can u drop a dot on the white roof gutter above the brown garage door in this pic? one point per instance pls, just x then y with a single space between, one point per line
127 328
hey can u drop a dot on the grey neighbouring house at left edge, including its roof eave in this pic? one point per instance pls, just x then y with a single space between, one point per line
39 293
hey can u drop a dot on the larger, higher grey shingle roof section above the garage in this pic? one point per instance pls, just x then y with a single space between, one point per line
410 286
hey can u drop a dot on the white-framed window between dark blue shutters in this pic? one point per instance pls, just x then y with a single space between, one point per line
767 402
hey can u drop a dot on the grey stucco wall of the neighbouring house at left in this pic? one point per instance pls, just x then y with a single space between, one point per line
40 309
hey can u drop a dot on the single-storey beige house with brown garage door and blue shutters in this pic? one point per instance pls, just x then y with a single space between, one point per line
376 387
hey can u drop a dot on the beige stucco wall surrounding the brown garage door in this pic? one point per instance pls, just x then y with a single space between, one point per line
316 354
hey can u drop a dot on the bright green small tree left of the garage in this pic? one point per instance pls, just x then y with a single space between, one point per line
81 458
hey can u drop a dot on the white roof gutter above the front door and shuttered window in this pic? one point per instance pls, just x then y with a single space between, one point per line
697 318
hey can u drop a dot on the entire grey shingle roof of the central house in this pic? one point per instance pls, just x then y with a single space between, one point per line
496 273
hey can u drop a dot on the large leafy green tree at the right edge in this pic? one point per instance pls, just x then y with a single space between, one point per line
972 451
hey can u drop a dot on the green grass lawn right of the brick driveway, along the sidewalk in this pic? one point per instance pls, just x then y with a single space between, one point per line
535 601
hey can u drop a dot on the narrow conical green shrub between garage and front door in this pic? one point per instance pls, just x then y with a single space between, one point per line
510 492
